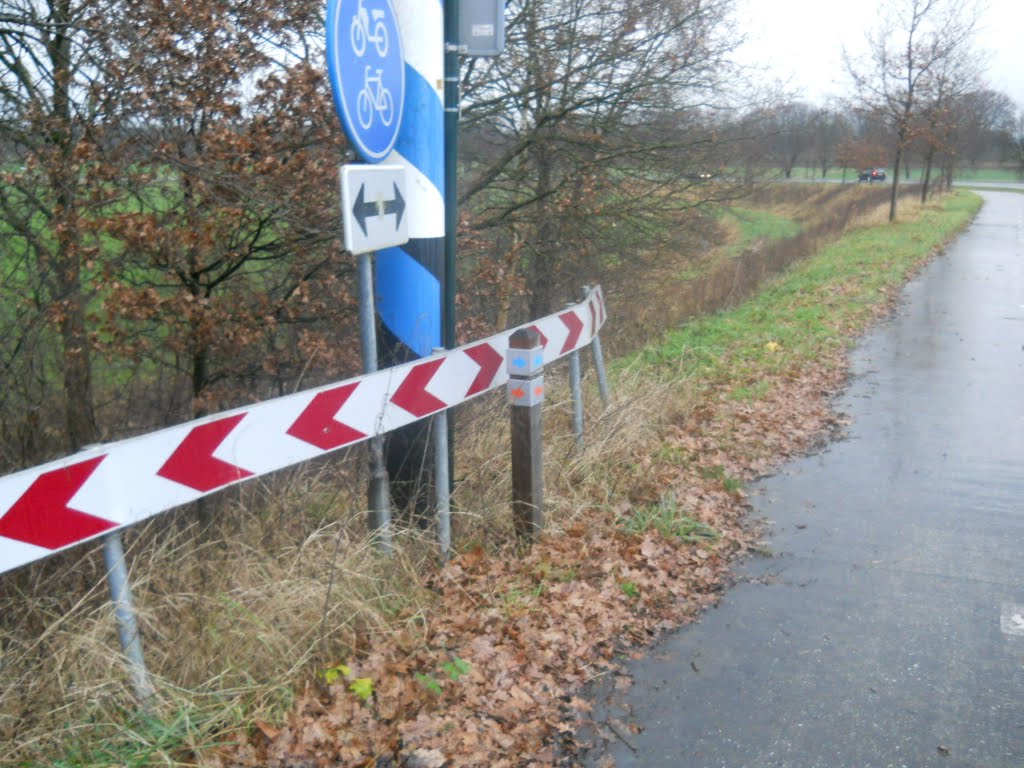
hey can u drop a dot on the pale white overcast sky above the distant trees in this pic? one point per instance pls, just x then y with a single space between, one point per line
801 41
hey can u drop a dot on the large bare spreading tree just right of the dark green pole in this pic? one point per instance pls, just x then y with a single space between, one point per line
586 134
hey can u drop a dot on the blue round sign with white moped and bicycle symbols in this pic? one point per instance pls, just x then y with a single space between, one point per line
368 73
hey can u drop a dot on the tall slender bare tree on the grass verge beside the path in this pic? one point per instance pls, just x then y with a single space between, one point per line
908 54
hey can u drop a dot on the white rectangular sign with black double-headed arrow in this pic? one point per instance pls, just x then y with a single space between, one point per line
373 207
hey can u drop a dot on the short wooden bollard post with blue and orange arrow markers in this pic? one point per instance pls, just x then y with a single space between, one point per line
526 395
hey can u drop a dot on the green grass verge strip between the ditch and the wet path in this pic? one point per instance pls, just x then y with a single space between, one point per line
815 309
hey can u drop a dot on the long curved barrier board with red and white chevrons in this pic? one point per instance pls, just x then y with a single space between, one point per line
61 504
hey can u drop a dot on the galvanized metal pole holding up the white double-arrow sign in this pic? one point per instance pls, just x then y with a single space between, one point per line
379 516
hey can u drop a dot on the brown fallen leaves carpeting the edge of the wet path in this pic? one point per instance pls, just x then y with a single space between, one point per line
494 676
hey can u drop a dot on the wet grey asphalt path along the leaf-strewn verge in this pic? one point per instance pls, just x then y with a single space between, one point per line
887 627
